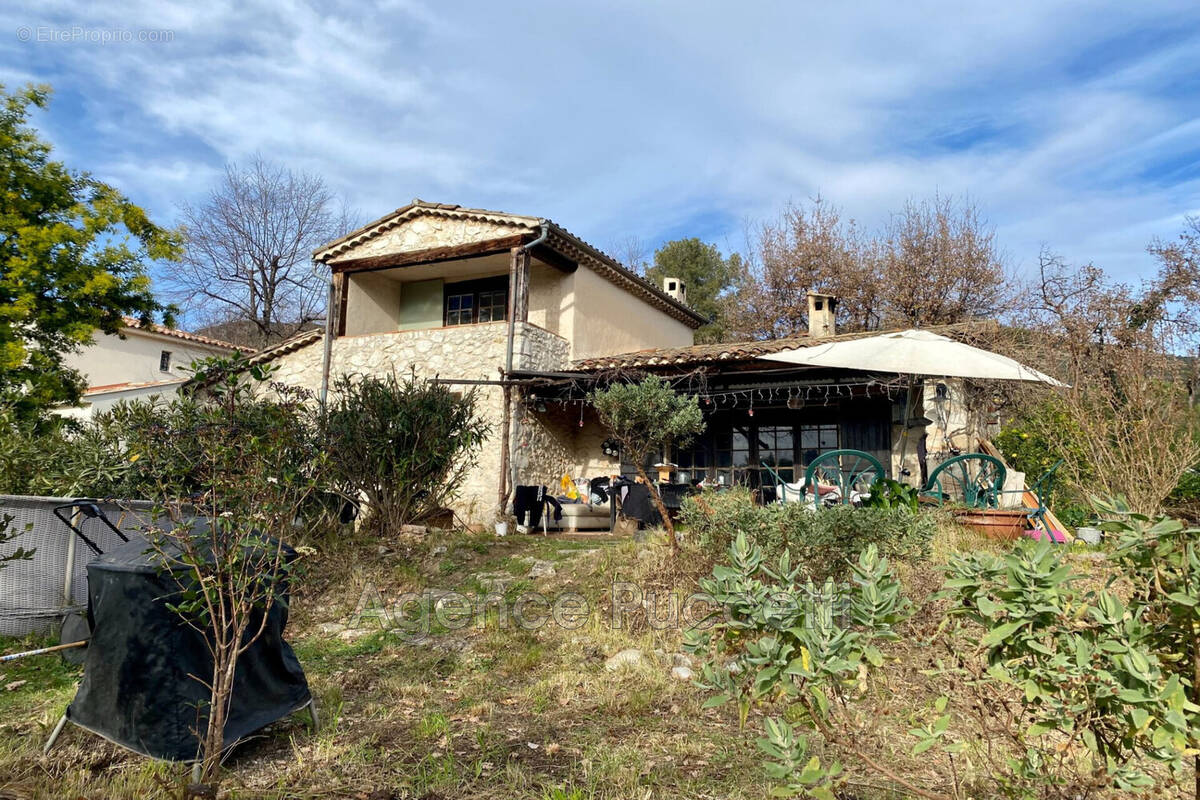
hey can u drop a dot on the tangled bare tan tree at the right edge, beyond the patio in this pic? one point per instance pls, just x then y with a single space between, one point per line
1125 426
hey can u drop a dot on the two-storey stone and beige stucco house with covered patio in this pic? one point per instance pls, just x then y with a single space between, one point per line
518 308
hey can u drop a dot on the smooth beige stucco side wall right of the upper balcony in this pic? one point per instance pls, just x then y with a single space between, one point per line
607 321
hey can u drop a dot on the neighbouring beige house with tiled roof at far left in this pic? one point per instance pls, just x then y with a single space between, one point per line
139 363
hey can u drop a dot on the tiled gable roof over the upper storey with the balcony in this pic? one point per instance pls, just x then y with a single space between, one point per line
560 239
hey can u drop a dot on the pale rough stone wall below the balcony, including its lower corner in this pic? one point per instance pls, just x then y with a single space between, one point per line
467 352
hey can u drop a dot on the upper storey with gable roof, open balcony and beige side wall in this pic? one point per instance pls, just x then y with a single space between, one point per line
440 267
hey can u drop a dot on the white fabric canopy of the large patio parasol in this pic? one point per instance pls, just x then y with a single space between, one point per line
914 353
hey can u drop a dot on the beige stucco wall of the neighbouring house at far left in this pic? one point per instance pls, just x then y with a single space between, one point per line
135 360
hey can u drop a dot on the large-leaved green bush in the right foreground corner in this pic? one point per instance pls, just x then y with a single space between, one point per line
1065 673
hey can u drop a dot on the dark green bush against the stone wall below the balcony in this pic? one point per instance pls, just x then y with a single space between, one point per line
405 446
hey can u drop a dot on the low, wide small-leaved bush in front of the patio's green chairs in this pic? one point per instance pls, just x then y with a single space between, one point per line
824 542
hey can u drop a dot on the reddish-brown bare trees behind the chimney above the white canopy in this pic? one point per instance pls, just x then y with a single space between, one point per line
935 263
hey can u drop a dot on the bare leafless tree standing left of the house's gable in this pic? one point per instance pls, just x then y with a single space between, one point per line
249 246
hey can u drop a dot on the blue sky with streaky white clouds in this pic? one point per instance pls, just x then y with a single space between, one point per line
1072 124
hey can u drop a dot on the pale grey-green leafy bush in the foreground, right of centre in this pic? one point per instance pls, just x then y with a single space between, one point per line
812 645
